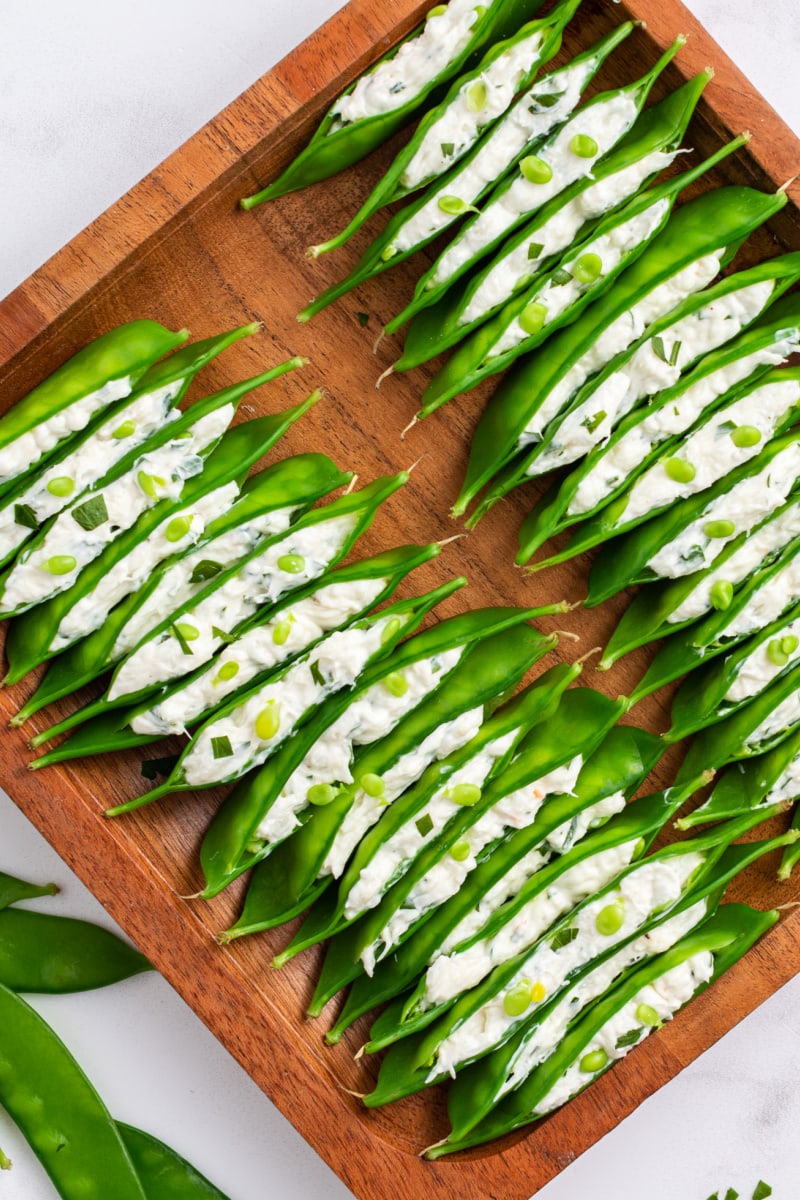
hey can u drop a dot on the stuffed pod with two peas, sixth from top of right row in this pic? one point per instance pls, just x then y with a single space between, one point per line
558 296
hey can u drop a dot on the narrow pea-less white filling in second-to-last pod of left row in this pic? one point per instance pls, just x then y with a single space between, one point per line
552 1030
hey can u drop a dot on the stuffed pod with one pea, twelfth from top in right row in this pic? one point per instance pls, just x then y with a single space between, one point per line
667 608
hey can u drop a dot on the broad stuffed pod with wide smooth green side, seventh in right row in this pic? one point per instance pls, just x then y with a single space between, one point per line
701 236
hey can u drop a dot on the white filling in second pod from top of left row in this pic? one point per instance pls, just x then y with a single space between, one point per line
88 464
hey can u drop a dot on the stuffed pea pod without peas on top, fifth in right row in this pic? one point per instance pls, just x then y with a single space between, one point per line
649 146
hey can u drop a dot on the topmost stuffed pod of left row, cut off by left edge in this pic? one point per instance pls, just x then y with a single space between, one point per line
100 374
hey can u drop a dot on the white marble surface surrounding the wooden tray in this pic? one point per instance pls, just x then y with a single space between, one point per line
93 95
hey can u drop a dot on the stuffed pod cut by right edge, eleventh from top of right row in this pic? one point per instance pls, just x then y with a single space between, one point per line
691 532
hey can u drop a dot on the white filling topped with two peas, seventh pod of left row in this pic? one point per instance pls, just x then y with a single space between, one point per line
257 651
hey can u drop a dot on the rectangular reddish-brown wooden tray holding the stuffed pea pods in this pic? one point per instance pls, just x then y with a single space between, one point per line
177 249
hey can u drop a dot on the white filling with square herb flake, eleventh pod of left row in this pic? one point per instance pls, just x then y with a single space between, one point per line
432 818
